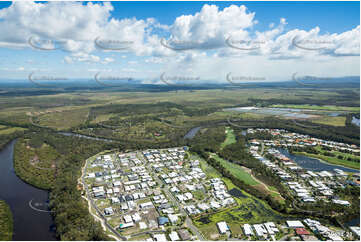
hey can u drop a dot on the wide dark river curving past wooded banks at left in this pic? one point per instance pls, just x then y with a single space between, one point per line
28 204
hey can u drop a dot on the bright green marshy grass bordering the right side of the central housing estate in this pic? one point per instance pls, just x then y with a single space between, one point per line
248 210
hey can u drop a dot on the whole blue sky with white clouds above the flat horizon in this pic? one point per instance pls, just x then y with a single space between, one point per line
159 42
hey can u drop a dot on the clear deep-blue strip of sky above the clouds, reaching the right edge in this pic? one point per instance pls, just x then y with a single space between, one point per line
329 16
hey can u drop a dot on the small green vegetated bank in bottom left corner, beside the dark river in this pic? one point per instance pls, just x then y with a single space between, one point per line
6 222
